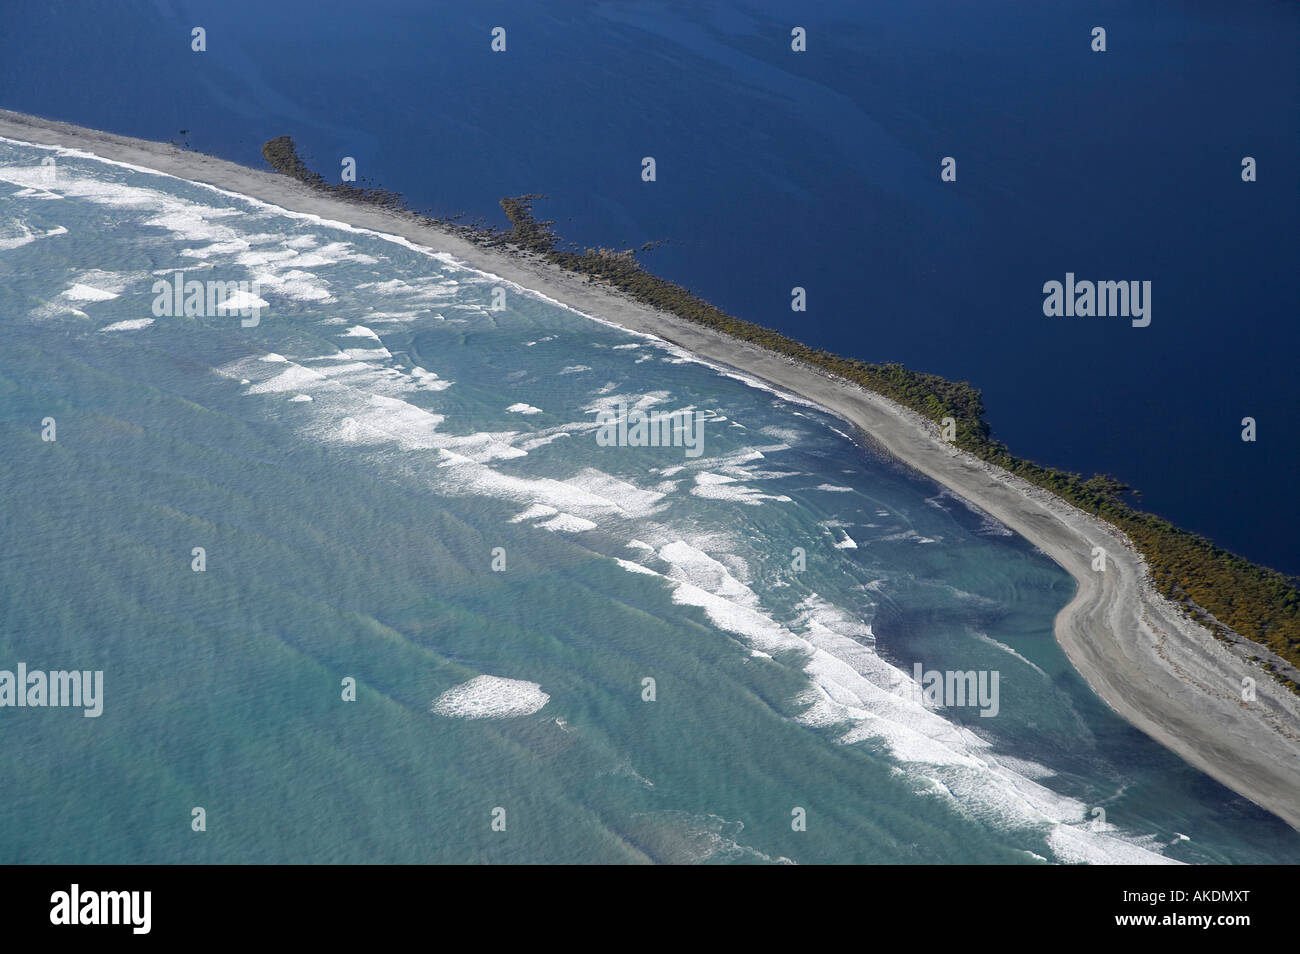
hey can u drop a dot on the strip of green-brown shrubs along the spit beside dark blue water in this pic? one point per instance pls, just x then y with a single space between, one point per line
1227 593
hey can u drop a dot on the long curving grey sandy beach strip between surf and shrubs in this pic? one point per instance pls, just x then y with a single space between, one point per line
1162 673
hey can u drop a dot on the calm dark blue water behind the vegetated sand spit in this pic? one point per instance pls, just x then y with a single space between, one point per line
821 170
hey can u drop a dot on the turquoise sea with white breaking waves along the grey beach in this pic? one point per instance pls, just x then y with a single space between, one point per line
357 463
